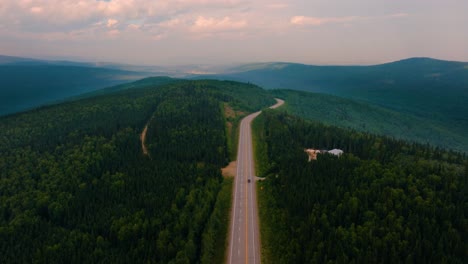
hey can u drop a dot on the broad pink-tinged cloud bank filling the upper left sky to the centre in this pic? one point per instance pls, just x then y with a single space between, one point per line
100 19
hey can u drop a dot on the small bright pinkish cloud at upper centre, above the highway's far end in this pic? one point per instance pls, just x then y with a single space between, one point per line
203 24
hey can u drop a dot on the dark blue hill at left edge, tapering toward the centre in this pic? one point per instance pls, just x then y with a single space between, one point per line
28 84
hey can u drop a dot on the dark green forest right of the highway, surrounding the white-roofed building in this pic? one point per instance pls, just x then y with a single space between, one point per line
383 201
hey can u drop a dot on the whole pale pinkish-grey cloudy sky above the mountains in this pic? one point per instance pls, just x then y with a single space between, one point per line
181 32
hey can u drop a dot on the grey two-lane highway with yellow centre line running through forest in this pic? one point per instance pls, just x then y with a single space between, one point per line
244 245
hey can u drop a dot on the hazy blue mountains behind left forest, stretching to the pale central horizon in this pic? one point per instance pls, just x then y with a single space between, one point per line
27 83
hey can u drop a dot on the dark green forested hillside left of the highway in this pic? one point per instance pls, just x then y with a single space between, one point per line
76 187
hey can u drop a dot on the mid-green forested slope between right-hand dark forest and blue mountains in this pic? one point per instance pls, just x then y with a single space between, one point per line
368 117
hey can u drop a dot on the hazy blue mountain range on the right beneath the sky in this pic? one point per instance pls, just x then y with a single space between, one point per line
424 87
